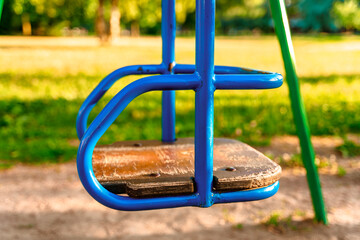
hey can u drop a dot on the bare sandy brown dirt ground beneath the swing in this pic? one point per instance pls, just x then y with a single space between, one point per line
49 202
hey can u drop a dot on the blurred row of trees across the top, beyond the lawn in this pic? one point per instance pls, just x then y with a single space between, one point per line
112 18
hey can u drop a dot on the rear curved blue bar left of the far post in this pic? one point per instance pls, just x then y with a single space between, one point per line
103 87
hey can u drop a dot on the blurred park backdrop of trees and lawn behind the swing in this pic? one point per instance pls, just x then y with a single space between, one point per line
56 51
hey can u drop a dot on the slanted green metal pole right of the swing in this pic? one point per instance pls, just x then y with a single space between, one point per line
282 29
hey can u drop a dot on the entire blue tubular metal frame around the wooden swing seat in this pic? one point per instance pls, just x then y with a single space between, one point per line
204 78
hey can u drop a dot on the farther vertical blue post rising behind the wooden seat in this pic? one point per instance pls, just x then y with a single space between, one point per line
168 31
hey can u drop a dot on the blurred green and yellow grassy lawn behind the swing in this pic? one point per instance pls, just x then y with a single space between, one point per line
43 82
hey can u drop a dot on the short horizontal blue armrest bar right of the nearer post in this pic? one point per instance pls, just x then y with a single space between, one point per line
248 81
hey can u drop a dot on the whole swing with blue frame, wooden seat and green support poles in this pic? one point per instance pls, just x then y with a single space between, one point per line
229 183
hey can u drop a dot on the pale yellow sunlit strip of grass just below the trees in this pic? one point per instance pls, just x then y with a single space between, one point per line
320 56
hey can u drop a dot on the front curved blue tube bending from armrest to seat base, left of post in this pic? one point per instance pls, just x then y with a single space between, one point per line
103 121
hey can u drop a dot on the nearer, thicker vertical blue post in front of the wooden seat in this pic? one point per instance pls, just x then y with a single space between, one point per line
204 100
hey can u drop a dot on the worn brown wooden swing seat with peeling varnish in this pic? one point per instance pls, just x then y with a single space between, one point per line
150 168
